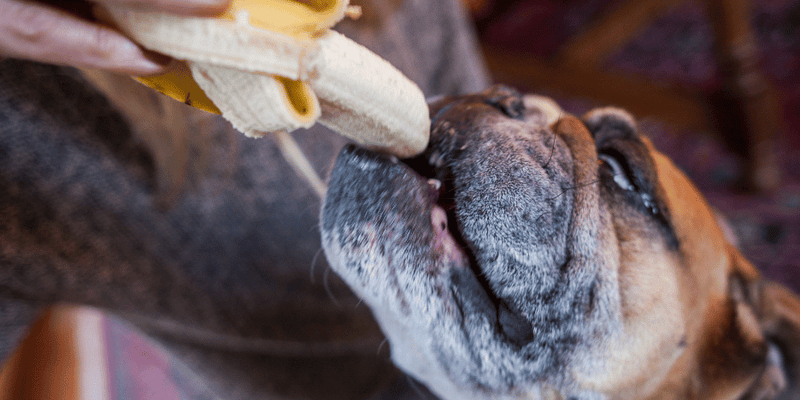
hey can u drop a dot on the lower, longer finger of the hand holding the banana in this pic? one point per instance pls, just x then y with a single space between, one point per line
36 32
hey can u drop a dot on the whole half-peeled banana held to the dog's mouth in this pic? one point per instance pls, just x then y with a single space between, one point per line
274 65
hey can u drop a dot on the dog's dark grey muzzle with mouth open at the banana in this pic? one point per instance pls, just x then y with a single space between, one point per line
482 205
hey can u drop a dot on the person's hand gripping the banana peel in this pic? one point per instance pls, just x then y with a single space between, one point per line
67 33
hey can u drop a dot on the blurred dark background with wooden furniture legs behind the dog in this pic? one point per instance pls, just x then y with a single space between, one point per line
715 84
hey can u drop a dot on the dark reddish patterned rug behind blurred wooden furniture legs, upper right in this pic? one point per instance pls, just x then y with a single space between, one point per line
677 49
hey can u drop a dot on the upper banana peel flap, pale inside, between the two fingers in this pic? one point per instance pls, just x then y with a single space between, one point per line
252 35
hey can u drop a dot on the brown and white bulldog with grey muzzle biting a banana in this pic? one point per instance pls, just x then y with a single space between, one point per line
531 254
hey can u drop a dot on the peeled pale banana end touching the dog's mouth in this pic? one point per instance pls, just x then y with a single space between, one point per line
367 99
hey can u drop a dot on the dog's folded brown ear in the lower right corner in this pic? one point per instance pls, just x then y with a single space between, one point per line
744 352
